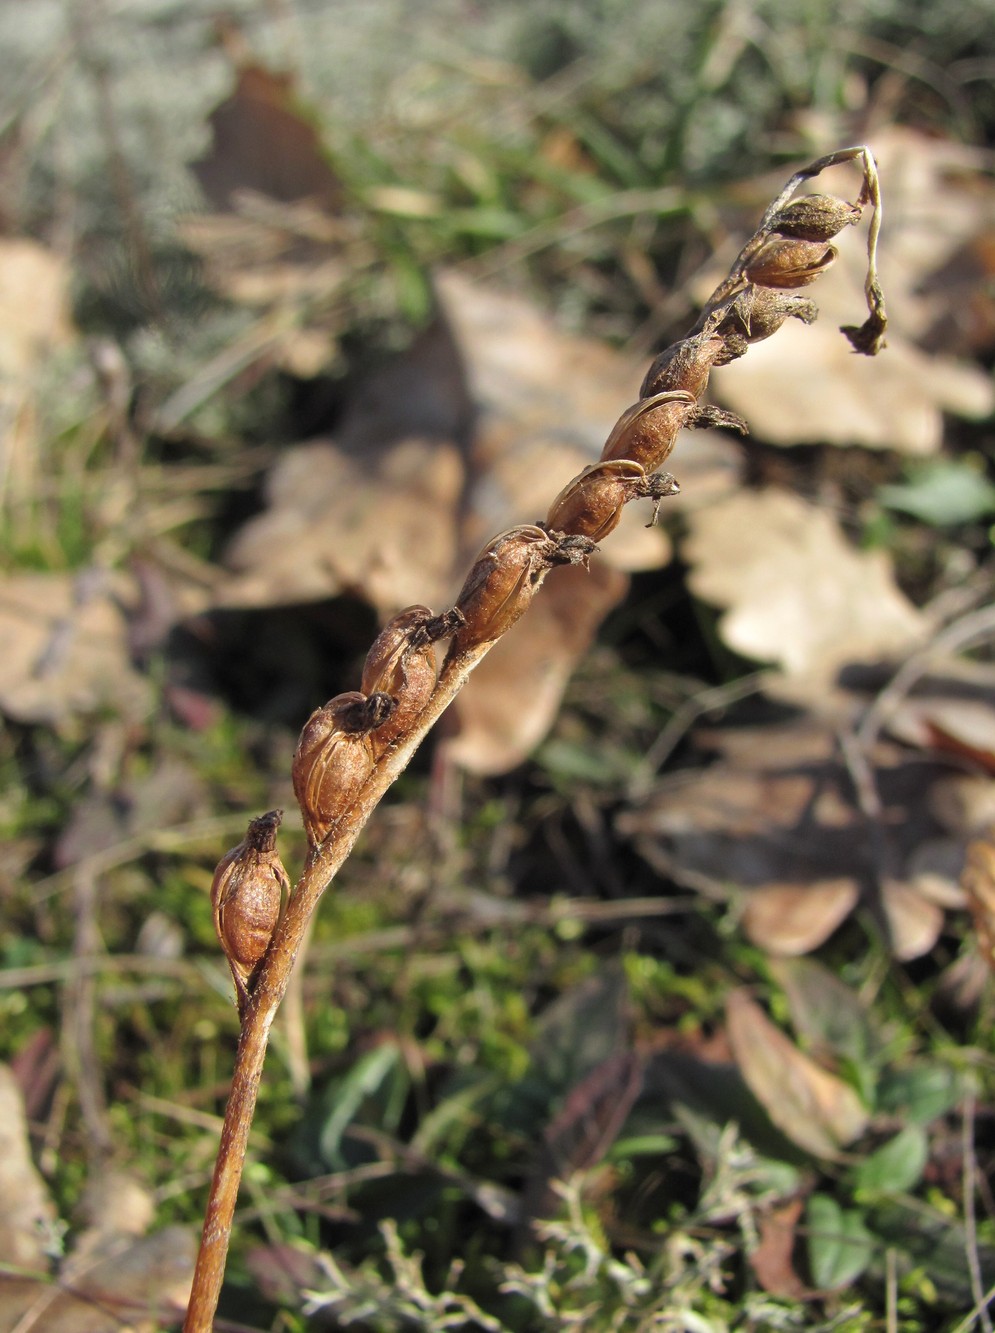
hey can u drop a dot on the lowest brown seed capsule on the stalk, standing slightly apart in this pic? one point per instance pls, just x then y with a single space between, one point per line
247 896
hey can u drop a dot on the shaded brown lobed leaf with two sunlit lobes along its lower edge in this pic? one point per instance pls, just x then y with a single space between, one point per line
777 816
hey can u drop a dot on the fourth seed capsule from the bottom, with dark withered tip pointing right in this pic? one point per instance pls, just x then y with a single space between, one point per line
506 577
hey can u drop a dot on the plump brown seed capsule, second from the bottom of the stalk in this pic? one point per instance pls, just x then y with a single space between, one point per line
335 756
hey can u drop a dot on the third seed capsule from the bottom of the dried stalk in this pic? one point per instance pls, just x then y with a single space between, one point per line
402 666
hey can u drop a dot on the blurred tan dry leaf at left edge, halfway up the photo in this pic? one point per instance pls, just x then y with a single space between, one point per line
65 647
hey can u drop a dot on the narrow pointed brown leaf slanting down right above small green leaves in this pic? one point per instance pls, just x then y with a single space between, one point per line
812 1107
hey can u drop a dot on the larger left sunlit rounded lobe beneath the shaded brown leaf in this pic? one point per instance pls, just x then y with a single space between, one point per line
792 919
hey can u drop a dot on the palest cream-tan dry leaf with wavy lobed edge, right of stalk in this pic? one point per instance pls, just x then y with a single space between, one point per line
796 591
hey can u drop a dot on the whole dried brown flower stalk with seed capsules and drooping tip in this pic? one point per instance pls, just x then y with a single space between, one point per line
357 746
